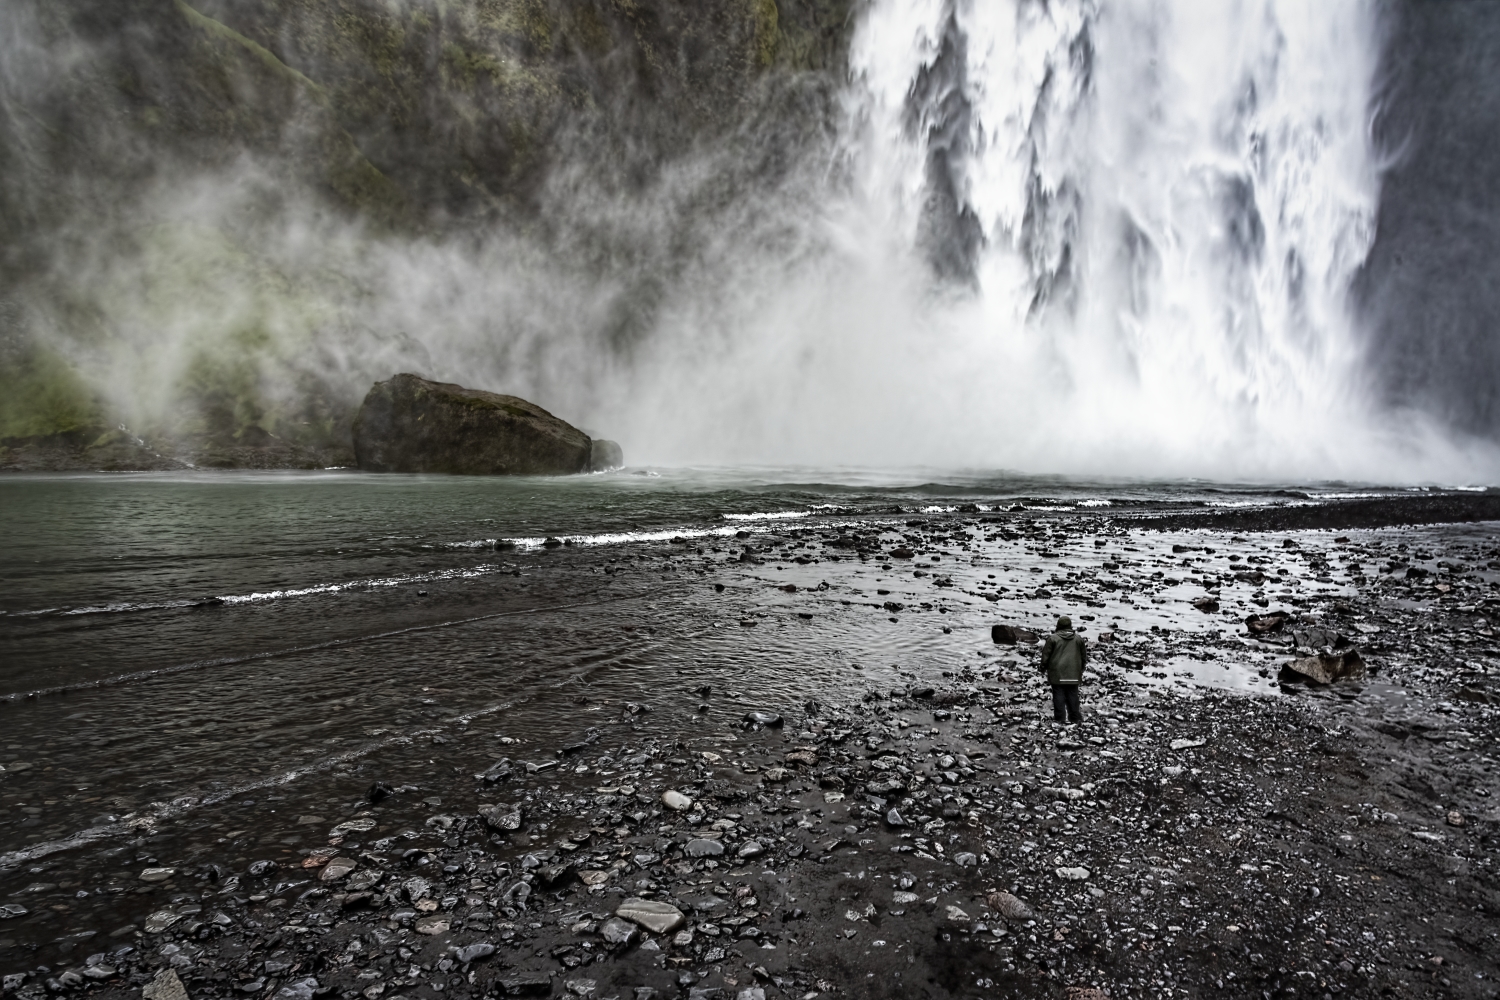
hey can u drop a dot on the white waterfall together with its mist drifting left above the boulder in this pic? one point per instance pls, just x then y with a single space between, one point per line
1073 238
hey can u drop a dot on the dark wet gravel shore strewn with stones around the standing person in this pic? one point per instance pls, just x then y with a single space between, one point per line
1216 827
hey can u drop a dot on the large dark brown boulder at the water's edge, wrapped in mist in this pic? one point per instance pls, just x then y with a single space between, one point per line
415 425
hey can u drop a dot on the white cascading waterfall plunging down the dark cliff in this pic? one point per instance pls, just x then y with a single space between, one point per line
1147 214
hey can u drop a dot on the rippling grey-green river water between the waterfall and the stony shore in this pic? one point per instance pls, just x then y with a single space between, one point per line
212 668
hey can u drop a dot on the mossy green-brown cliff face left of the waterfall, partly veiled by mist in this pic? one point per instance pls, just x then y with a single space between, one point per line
412 121
